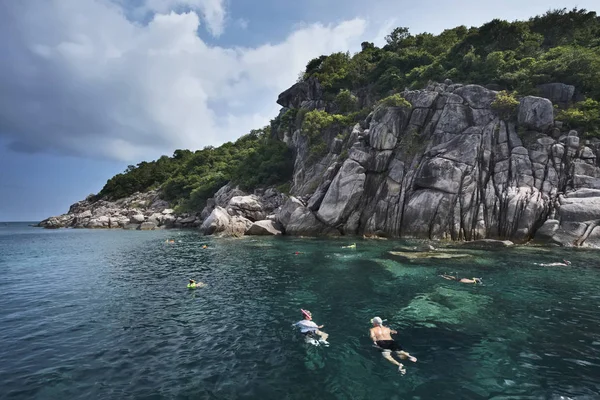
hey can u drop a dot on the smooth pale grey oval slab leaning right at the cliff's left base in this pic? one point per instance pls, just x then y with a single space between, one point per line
343 193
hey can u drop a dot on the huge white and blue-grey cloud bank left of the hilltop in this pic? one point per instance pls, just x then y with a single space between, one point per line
82 79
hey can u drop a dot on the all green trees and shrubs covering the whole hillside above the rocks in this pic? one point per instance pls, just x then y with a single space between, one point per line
560 46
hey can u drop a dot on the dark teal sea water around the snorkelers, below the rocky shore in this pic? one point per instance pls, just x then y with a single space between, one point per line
98 314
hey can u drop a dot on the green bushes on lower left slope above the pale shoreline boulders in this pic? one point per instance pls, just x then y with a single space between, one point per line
188 178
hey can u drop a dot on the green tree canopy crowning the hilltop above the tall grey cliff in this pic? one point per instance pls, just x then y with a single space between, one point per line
560 46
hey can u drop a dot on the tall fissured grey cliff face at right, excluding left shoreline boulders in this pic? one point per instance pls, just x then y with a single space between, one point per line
450 167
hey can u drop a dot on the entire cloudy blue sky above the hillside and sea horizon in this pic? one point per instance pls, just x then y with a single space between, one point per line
88 87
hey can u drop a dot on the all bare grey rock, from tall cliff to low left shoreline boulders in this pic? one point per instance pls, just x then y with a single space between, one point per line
449 166
